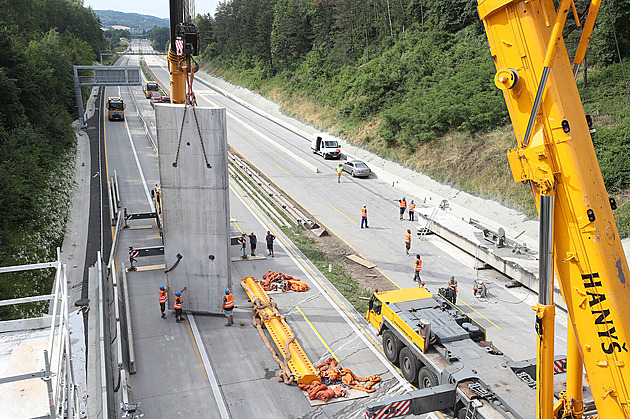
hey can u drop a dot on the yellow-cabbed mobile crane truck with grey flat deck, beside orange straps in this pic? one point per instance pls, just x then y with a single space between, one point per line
445 353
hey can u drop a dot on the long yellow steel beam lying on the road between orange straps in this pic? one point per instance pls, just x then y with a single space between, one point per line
298 363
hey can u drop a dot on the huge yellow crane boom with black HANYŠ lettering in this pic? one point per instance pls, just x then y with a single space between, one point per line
556 157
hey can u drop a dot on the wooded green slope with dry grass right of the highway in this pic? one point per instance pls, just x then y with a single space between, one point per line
413 82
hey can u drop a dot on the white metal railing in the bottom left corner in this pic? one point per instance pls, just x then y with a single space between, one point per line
57 370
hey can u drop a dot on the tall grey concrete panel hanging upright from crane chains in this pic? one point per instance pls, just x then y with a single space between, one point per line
195 204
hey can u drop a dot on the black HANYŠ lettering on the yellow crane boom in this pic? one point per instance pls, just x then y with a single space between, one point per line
601 315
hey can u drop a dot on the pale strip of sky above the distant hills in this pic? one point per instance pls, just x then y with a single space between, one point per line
158 8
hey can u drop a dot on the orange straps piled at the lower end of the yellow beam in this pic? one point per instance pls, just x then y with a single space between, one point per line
331 370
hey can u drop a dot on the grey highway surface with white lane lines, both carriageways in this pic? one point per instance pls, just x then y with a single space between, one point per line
201 368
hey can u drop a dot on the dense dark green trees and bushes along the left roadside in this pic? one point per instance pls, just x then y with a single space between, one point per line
40 41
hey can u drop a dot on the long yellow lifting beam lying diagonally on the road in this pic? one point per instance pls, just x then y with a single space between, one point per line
295 364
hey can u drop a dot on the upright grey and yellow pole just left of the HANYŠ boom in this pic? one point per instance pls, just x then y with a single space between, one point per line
545 312
